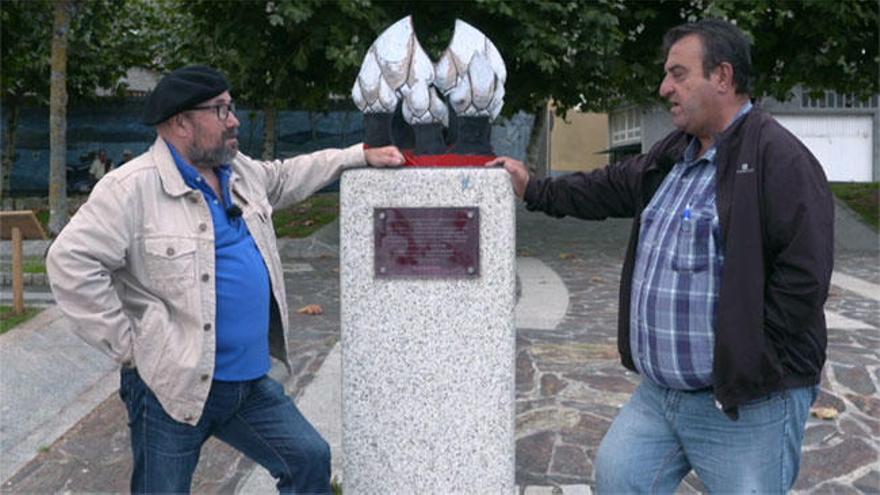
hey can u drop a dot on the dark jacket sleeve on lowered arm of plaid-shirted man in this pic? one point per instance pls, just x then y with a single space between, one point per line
799 233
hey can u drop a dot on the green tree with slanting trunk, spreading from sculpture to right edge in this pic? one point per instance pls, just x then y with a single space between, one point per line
598 54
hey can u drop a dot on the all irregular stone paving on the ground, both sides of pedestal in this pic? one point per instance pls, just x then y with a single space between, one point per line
569 382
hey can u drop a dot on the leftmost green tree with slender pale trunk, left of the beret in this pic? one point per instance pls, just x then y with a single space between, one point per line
104 39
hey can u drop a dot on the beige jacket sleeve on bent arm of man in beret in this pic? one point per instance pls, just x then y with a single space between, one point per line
80 262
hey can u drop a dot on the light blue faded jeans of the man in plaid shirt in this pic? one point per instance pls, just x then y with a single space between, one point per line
661 434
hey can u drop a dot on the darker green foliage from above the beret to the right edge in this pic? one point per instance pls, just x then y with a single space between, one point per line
593 54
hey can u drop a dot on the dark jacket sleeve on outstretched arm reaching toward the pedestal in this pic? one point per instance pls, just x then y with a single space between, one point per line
611 191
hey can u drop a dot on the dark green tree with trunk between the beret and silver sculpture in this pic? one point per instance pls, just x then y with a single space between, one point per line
282 53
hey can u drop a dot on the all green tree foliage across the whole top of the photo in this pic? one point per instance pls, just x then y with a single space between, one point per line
298 53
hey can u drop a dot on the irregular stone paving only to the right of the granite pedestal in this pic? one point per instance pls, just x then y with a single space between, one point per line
570 384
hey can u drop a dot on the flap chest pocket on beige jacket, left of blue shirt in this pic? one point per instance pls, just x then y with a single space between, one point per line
170 263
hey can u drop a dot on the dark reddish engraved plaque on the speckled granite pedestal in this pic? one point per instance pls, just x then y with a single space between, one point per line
427 242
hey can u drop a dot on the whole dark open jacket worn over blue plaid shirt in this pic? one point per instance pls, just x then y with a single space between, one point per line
777 218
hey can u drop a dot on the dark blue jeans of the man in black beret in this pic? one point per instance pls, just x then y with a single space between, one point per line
255 417
